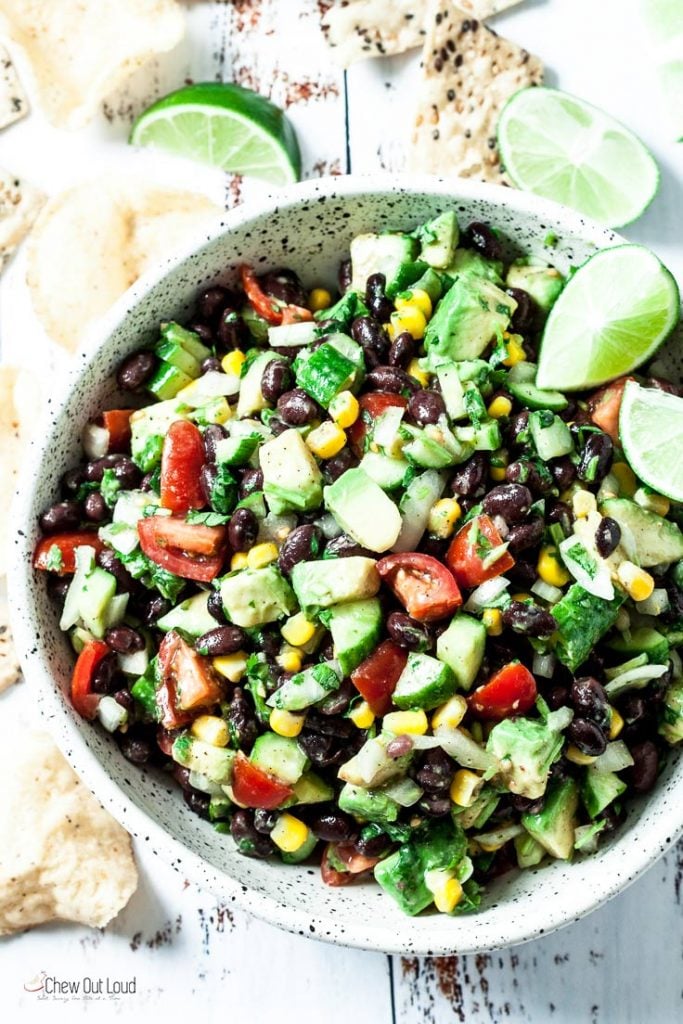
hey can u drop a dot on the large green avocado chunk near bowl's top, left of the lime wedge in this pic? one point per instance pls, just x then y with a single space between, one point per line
468 318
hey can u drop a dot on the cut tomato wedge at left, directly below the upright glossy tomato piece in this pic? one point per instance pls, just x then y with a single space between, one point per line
191 551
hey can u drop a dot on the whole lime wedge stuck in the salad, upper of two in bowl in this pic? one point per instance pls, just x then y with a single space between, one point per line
613 316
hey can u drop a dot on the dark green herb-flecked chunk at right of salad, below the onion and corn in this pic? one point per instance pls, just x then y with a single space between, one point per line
582 619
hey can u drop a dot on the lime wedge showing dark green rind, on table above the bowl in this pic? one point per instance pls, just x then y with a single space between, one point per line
227 126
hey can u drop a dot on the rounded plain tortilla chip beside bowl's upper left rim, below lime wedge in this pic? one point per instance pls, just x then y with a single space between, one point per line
93 242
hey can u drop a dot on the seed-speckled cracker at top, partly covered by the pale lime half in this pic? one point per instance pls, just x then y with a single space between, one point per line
469 74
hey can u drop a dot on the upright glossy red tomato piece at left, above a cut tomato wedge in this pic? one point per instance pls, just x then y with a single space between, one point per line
182 462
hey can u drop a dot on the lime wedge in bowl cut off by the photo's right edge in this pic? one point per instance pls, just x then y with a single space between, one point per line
651 428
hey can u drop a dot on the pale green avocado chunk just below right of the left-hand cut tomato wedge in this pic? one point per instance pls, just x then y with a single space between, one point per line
252 598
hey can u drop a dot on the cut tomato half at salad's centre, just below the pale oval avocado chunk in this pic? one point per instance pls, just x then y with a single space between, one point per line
425 587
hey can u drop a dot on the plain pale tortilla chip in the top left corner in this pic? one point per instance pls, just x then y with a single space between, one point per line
79 53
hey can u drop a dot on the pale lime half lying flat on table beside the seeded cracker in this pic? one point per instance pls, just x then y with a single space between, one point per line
560 147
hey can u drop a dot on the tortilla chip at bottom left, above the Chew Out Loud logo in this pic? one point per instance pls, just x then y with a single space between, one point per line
63 858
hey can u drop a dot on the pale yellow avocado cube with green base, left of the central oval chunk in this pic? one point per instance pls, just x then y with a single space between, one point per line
292 480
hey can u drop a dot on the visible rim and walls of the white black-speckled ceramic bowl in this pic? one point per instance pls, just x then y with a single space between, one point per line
310 230
